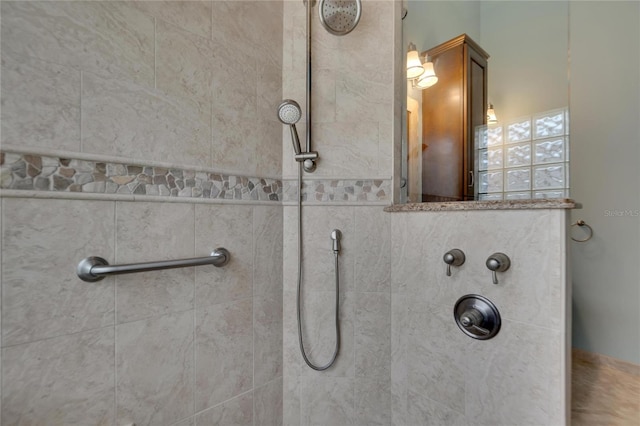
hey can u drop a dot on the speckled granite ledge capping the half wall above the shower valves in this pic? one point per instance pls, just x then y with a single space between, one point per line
561 203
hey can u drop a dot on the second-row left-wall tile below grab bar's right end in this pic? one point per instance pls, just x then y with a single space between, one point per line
224 352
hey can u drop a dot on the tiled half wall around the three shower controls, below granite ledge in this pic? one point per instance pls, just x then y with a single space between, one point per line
440 375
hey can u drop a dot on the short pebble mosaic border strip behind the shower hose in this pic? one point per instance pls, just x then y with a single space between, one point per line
339 190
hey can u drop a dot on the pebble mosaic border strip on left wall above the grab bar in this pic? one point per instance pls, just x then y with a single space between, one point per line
34 172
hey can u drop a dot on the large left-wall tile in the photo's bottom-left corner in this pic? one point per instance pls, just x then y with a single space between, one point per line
64 380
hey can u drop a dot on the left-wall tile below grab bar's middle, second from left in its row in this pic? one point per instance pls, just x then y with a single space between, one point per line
155 371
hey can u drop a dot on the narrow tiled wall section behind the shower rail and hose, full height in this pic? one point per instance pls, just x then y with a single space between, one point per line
353 117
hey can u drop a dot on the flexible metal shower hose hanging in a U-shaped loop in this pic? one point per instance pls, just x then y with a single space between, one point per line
337 280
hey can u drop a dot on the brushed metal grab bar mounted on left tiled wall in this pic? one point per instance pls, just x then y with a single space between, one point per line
93 268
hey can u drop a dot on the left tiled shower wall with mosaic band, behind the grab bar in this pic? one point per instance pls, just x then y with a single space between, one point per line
124 97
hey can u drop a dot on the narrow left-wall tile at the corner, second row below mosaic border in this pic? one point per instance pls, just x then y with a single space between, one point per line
267 339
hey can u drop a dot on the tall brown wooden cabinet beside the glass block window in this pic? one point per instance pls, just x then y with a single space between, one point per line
451 110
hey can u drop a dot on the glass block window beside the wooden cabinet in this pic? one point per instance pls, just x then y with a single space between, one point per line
527 158
